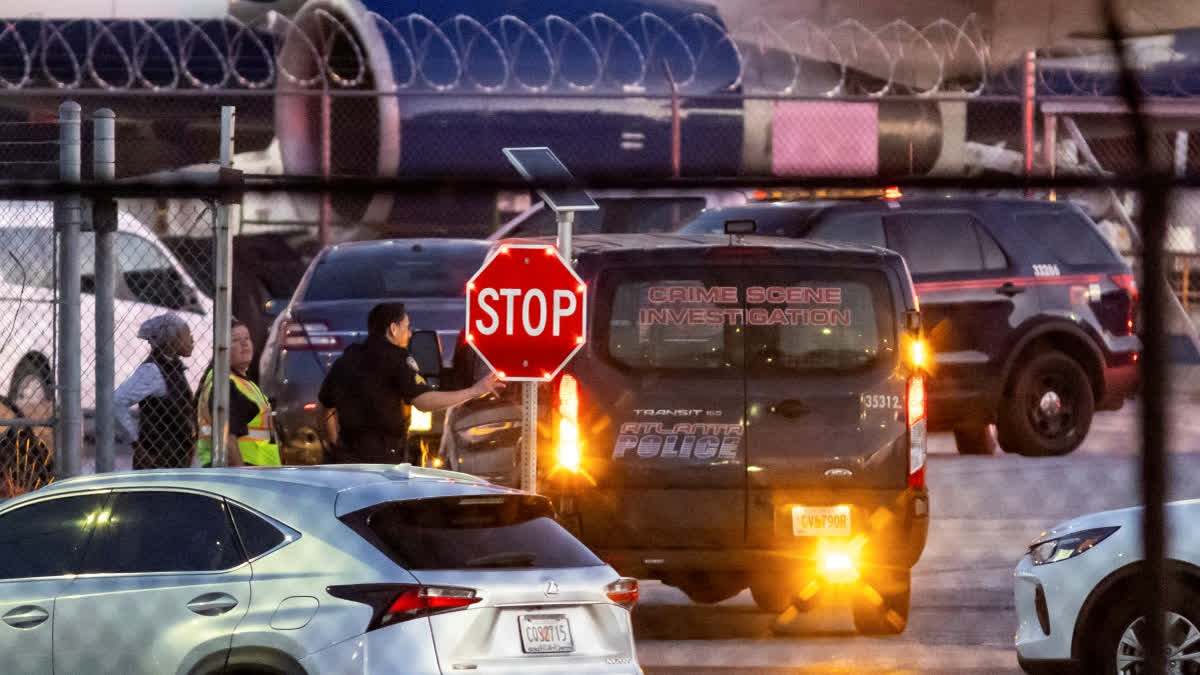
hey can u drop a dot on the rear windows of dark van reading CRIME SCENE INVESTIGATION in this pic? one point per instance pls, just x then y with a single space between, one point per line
775 319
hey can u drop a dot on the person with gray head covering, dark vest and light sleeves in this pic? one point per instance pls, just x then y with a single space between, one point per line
165 432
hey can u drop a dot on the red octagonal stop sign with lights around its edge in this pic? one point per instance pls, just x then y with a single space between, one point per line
526 312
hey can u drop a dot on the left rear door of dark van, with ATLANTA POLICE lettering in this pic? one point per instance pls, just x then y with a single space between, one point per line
663 403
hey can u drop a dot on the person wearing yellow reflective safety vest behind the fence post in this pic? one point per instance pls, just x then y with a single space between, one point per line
251 440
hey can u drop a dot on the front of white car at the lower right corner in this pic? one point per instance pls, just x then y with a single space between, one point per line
1077 593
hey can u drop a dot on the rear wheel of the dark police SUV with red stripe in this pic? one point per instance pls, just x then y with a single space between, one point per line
1049 410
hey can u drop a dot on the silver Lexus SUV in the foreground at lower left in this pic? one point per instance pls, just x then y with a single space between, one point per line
302 571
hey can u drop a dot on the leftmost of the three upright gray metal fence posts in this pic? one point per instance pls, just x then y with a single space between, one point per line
68 217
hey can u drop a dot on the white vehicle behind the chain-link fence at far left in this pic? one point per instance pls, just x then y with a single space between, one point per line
149 282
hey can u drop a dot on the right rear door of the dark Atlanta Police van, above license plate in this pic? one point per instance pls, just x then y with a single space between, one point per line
825 397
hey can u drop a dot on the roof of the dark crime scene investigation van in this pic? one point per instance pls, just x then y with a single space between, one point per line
659 242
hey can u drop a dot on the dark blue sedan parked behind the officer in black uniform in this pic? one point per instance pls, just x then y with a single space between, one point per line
329 312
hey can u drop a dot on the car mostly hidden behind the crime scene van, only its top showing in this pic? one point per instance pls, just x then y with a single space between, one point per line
623 212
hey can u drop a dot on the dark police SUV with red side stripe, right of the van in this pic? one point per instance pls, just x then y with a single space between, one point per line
1029 310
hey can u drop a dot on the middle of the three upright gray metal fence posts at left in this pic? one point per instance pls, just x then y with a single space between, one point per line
105 223
